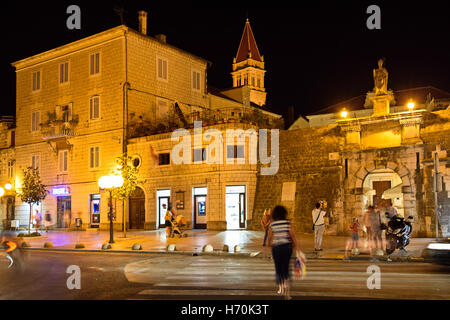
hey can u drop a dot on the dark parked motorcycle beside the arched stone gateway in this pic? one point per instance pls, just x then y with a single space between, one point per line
398 234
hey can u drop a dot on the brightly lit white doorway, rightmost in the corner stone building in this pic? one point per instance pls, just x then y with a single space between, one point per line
236 209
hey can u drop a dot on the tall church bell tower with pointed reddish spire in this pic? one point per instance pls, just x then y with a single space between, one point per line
248 67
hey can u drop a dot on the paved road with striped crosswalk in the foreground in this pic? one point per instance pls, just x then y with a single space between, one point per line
165 277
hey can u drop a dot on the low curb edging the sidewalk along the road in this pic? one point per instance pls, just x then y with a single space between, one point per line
230 254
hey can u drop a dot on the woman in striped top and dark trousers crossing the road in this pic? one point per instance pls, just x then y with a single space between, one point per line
283 241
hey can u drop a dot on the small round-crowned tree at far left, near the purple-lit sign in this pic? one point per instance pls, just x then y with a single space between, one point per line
33 191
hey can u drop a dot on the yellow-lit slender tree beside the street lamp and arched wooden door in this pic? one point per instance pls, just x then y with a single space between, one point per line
129 173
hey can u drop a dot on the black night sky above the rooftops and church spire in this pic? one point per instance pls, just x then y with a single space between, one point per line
316 55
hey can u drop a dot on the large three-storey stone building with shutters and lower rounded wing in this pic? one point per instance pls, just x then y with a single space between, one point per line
82 105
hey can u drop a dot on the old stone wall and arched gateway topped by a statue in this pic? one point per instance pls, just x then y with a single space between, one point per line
370 150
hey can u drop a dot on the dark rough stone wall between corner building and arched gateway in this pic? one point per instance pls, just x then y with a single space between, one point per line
310 158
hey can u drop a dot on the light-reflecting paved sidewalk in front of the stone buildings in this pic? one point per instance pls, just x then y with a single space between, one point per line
250 243
